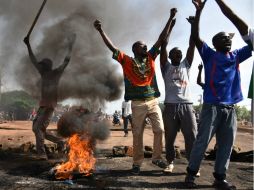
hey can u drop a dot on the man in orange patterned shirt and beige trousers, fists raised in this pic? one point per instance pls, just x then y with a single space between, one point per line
141 87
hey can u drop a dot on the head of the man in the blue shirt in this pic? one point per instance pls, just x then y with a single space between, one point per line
223 41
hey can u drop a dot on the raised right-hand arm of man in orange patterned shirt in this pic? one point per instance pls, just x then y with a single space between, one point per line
165 32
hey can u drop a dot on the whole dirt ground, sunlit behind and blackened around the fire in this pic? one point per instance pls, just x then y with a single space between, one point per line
19 171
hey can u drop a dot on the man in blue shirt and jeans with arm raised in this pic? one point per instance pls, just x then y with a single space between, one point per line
222 90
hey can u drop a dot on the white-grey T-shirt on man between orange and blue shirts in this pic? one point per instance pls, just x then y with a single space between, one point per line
176 80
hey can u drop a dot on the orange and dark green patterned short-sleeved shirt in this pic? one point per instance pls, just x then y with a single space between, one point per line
139 77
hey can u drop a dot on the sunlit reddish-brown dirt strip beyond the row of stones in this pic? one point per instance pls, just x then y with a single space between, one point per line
13 134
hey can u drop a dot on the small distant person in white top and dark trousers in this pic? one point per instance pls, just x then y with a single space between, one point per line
126 115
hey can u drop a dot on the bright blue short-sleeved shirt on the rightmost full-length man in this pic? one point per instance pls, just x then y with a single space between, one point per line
222 74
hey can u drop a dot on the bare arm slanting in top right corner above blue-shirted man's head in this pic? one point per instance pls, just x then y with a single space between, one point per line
237 21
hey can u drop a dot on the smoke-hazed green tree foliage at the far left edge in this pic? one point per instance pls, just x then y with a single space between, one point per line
18 102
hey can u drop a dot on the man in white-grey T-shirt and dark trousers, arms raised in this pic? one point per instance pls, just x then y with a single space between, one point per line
178 113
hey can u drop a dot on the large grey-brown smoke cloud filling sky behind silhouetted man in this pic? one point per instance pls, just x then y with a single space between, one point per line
91 76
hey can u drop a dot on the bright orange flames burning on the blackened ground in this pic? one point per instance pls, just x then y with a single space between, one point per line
81 158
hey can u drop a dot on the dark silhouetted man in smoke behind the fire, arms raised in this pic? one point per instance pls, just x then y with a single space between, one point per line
49 83
